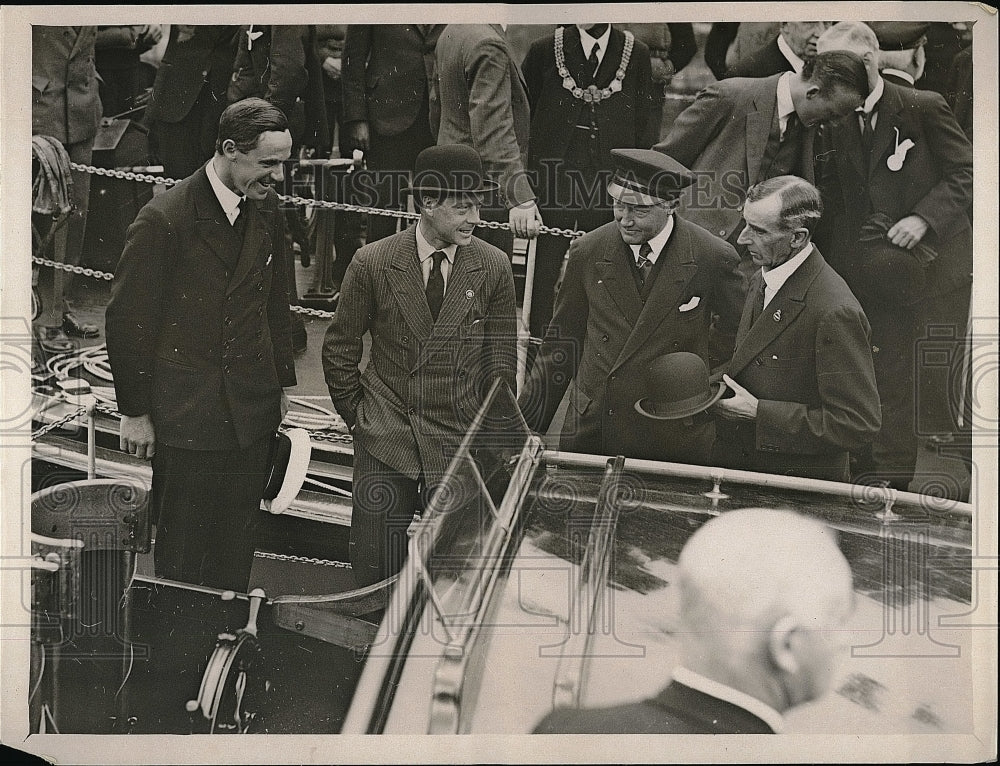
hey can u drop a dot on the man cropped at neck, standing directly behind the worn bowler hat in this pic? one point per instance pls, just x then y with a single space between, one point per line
388 82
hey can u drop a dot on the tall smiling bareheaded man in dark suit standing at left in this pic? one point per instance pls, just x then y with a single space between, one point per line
198 341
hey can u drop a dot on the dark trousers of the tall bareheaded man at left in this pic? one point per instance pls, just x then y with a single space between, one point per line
206 506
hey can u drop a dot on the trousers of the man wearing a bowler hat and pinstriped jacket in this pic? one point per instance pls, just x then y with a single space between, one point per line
384 503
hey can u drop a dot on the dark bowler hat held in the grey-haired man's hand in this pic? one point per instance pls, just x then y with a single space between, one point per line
677 387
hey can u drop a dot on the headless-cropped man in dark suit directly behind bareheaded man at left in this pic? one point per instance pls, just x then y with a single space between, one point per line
189 94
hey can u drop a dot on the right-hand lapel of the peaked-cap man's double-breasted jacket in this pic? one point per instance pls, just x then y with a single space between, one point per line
676 270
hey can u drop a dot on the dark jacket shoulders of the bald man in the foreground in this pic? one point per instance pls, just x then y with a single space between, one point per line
678 709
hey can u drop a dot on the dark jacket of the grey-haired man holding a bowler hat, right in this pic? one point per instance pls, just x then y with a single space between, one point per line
808 360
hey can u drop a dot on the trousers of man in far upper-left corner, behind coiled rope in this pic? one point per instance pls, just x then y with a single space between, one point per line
55 284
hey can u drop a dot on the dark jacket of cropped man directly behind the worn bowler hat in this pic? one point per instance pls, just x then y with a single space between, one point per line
388 73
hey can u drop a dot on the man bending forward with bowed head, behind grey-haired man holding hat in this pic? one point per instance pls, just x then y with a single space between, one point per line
740 131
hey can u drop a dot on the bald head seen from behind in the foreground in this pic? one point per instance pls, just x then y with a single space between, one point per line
763 594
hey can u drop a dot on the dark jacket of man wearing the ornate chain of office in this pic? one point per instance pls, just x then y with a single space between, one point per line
623 120
